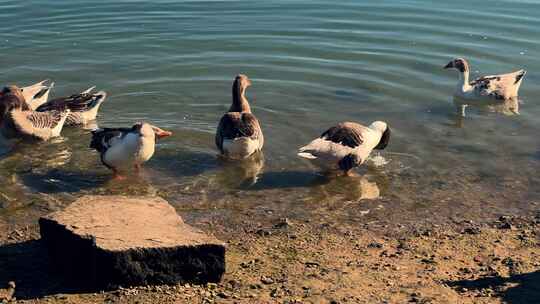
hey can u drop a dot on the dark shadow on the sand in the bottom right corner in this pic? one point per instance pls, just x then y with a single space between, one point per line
521 288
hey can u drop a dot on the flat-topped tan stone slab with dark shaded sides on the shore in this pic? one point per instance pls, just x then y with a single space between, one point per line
107 241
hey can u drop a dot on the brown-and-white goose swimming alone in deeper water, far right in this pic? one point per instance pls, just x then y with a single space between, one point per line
494 88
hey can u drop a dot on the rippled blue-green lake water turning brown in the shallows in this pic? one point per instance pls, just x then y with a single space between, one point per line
312 64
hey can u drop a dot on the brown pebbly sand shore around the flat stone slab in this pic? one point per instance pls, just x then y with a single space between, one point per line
281 260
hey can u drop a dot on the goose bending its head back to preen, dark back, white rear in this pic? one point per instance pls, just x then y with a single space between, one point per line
346 146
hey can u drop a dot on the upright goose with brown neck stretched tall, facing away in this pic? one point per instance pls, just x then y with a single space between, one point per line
239 134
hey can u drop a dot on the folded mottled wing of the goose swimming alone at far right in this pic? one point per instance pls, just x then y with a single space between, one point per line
500 87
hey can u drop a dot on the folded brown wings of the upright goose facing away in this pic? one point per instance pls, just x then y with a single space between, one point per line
235 125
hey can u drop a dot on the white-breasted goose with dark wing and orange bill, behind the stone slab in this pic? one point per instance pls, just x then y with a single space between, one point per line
121 148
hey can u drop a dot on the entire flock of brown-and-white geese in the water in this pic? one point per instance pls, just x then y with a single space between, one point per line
27 113
